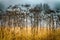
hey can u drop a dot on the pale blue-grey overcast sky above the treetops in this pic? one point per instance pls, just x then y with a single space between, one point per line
12 2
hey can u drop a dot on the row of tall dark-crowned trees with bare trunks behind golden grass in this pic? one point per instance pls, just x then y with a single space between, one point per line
41 15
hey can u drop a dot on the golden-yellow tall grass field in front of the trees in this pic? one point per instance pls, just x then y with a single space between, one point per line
11 33
